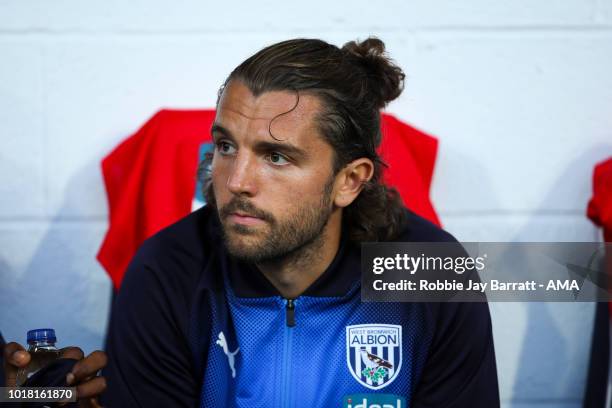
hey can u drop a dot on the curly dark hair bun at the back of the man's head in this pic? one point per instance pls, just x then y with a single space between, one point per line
386 79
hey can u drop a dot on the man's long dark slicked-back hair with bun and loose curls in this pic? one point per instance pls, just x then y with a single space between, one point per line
354 83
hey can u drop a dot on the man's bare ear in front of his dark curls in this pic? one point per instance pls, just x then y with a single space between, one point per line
350 180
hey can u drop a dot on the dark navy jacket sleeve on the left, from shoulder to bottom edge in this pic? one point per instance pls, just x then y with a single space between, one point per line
153 310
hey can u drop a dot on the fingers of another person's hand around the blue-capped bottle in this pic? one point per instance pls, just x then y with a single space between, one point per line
82 376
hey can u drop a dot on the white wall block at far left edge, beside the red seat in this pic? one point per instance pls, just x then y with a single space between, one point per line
22 190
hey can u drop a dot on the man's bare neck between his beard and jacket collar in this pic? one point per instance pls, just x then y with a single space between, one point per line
295 272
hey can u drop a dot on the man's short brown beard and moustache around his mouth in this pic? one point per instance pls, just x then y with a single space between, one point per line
300 233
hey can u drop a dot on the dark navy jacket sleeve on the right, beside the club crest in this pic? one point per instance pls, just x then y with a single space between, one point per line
461 345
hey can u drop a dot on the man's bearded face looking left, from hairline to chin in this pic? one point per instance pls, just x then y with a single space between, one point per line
273 194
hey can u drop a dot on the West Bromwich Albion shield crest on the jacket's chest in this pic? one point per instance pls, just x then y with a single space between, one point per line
374 353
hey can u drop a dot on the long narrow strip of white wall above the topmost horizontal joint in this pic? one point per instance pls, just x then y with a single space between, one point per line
234 16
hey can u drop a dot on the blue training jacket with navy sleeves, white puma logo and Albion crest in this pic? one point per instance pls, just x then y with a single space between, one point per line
194 327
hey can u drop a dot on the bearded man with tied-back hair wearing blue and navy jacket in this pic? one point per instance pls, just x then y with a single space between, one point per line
248 301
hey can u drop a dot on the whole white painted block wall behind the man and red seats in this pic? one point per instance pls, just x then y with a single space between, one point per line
518 92
